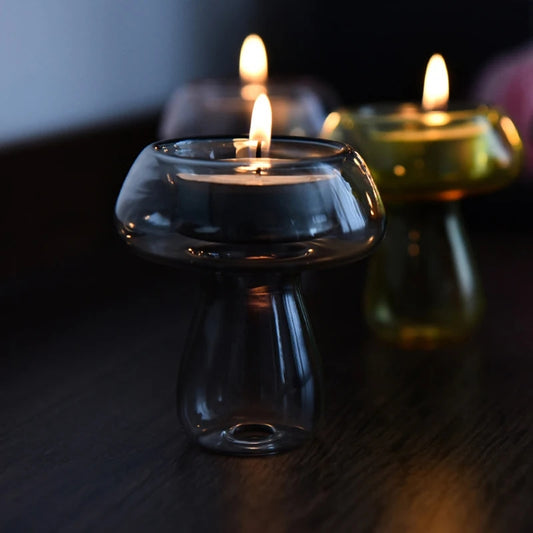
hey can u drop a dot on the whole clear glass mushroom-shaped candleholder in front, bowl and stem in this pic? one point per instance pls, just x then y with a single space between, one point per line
248 382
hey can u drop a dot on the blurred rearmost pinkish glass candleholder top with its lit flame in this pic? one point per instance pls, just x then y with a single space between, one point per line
222 107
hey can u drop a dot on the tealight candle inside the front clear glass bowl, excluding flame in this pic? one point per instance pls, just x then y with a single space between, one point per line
262 206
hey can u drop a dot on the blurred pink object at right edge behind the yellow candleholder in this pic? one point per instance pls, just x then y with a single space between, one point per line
507 82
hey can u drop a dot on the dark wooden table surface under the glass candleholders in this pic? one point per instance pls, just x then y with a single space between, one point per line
438 441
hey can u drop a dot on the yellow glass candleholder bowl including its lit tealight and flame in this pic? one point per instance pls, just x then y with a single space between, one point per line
433 151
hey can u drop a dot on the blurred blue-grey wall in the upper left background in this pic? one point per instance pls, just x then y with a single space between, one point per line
68 64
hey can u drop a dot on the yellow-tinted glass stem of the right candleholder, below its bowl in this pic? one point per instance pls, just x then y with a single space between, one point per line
423 289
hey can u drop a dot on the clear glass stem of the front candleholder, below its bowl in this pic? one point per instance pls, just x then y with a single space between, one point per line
249 382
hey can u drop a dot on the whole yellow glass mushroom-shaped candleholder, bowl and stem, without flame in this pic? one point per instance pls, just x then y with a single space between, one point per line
423 289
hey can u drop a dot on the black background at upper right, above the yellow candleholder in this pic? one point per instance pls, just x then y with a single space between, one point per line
375 51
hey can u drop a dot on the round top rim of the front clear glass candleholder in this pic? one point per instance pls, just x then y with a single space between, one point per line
336 151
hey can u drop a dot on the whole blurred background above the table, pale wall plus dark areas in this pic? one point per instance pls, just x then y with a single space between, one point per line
83 85
